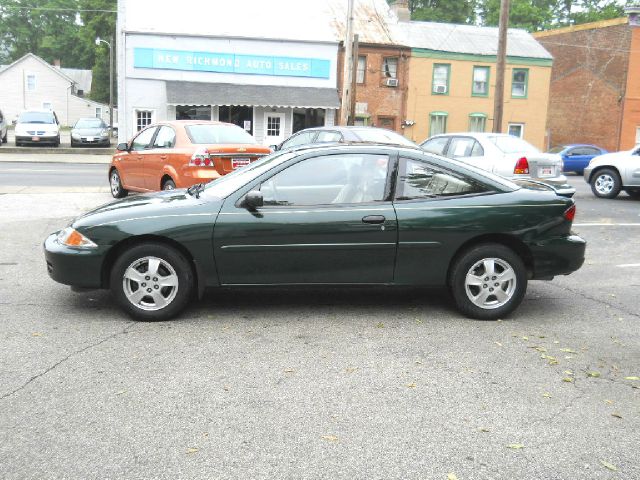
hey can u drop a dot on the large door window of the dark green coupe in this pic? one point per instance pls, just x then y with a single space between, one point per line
328 179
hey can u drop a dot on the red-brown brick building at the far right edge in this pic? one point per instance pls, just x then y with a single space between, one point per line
595 84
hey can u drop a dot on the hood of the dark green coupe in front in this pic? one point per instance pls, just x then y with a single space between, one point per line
152 206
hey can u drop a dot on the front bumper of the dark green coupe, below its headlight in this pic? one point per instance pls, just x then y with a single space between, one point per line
77 267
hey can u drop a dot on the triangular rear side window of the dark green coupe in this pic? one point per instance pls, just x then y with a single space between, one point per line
420 180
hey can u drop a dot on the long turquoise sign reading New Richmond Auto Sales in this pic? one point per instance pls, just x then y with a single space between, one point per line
230 63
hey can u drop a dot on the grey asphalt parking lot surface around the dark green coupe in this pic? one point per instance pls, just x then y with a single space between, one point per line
320 383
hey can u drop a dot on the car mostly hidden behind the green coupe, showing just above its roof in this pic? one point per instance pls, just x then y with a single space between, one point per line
344 135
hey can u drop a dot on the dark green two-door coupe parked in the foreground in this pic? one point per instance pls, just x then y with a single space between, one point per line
340 215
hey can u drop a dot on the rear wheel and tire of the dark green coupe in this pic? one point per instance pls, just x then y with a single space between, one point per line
488 305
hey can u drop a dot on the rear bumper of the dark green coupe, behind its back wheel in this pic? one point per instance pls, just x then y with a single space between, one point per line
557 256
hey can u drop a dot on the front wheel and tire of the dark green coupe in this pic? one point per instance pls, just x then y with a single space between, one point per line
142 297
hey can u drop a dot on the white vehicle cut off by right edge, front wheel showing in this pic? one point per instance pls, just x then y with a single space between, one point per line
610 173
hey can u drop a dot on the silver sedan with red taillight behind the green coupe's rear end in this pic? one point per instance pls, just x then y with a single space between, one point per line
506 155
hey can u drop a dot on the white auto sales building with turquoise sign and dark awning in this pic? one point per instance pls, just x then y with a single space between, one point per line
270 75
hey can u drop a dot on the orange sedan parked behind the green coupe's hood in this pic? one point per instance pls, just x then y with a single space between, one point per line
178 154
